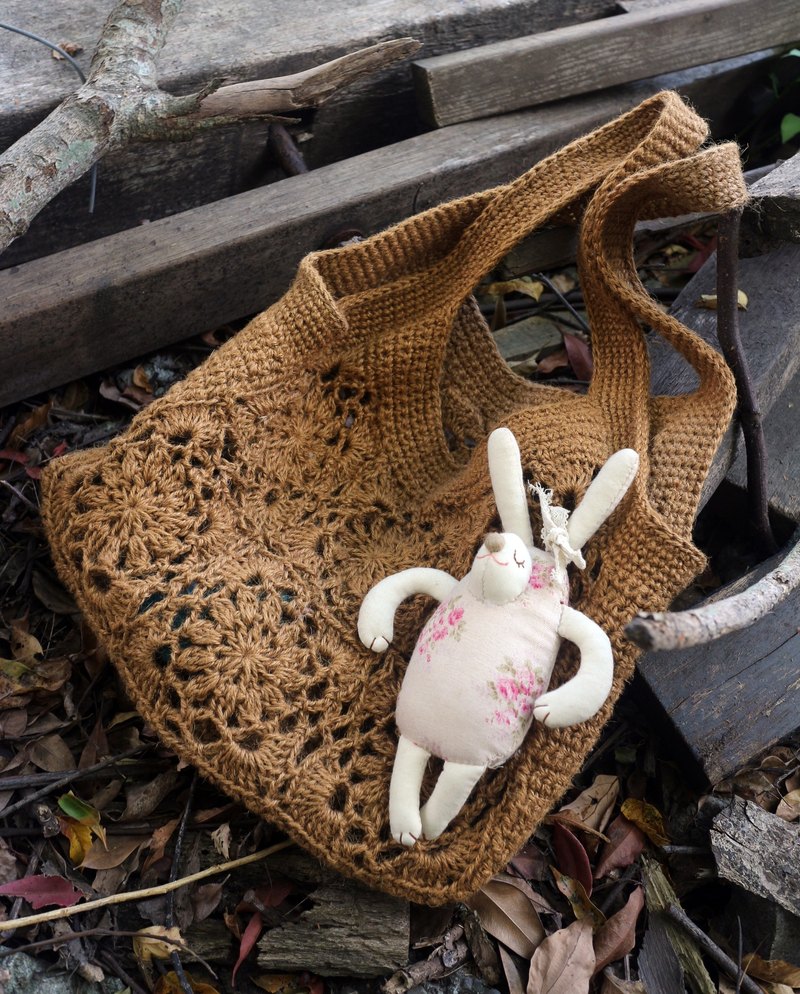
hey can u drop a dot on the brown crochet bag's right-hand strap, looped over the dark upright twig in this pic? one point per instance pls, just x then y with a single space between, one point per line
681 433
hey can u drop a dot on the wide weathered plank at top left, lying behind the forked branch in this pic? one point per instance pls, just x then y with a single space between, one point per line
242 40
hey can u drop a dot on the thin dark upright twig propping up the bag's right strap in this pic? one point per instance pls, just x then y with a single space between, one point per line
731 344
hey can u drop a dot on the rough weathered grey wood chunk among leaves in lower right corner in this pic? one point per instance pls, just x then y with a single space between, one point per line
759 852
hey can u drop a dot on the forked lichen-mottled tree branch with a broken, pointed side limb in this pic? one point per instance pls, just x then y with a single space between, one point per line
121 103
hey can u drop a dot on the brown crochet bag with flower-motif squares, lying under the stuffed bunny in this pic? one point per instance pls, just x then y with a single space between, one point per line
221 547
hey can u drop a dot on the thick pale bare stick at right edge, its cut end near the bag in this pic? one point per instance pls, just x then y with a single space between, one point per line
679 630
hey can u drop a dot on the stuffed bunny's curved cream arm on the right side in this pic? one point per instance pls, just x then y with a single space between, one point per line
583 695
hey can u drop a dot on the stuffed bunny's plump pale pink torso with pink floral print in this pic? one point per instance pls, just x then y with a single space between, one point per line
477 669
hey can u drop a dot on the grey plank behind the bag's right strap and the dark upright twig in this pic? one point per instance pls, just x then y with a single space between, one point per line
770 330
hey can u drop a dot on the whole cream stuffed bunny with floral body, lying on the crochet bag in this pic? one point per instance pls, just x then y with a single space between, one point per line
478 674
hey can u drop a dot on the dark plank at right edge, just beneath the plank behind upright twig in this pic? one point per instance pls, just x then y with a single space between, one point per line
782 436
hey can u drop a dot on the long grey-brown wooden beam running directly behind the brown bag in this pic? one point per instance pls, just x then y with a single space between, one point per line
76 312
